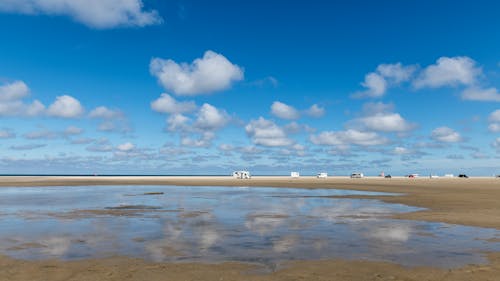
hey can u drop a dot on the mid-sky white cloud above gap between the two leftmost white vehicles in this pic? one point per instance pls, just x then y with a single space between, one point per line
267 133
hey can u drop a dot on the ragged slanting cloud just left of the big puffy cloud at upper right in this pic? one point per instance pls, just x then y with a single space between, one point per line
385 76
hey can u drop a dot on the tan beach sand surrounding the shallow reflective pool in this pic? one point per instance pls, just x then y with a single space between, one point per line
473 201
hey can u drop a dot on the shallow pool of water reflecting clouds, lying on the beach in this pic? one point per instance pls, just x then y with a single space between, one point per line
214 224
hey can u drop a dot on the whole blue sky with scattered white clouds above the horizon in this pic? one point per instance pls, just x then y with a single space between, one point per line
207 87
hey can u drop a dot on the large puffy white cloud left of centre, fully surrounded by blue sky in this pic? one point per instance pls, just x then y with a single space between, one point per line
212 73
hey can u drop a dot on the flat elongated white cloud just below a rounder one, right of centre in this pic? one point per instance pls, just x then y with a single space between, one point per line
348 137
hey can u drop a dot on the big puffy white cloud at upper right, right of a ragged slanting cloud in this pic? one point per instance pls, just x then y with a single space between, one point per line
448 71
